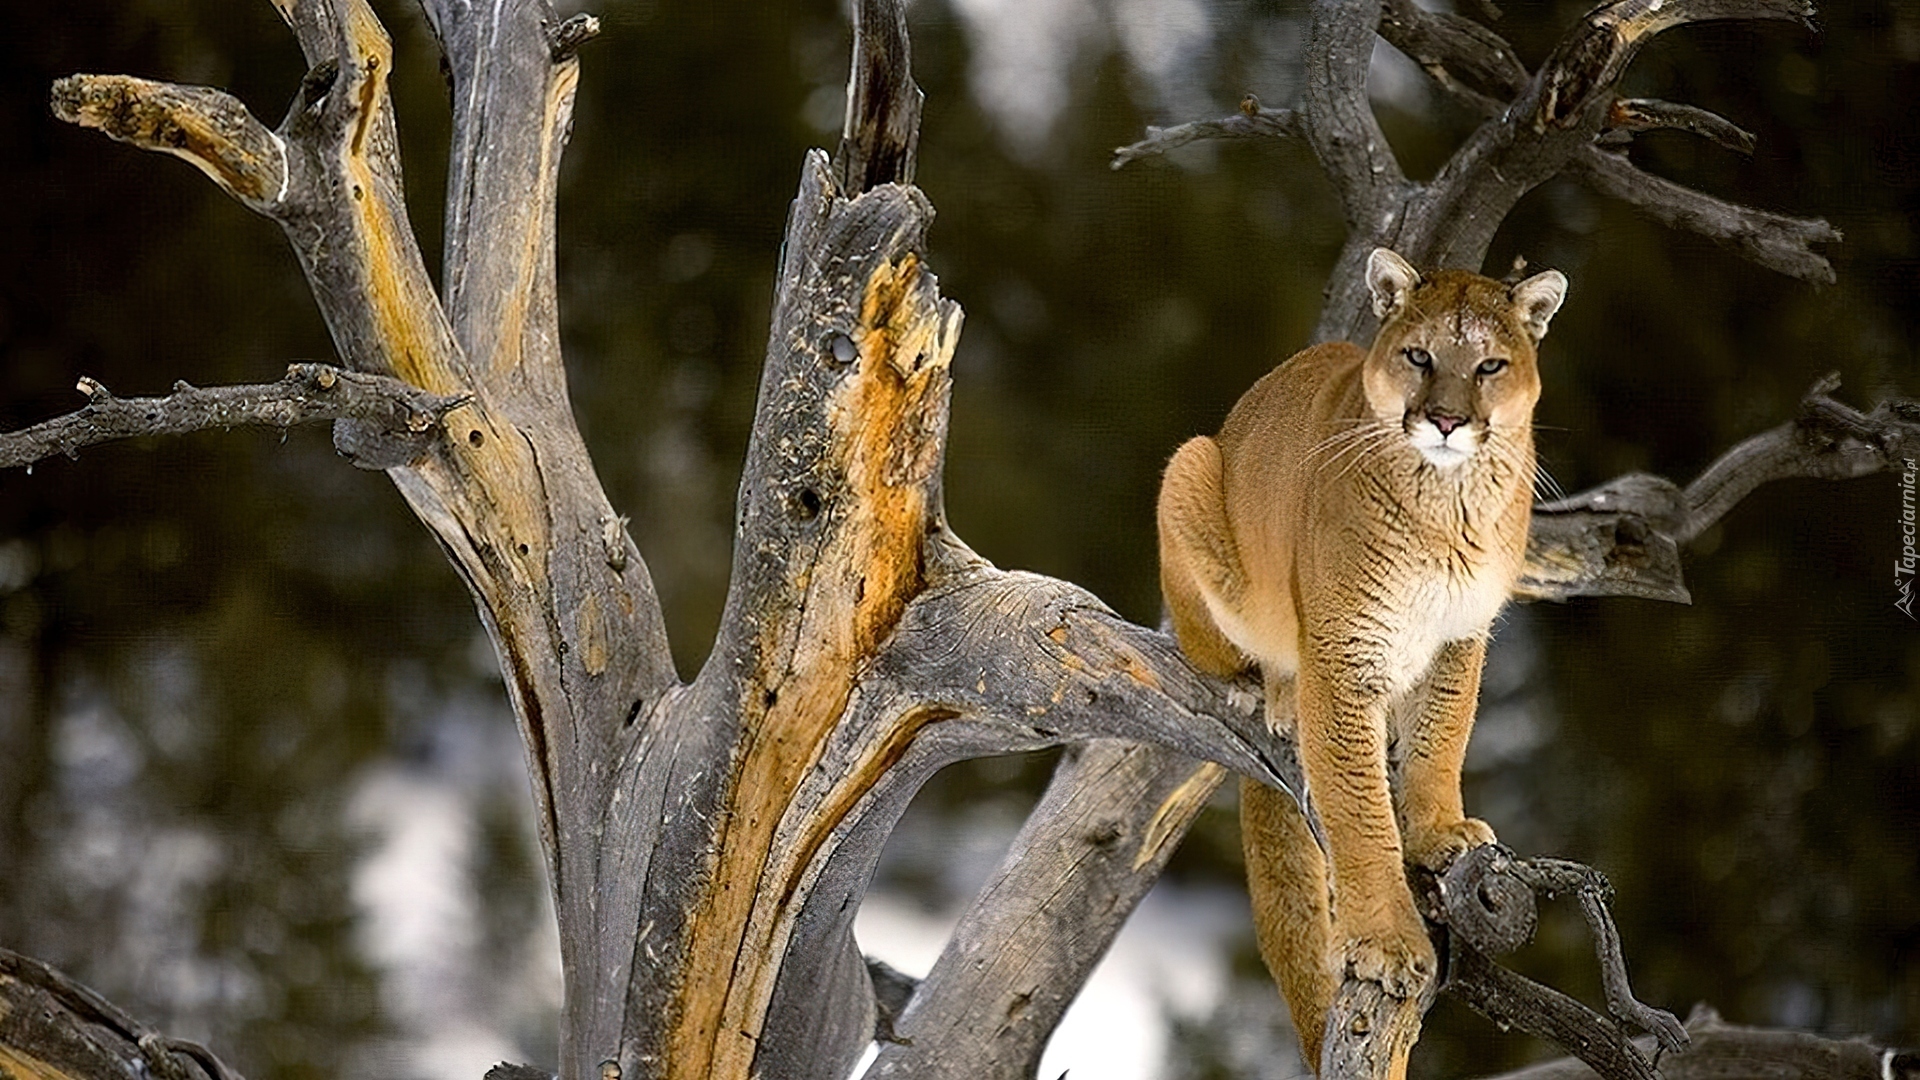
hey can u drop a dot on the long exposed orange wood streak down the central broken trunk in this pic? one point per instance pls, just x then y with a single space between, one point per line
882 420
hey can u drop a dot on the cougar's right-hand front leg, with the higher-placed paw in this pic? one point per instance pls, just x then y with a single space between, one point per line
1433 750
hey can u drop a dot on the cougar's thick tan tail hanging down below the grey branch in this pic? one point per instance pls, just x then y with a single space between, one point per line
1287 883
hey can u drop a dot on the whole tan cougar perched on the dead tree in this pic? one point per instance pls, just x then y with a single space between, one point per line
1335 537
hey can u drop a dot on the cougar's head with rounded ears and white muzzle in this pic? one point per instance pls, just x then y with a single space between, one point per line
1456 356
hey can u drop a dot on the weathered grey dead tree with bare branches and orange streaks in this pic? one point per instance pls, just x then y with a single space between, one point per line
708 843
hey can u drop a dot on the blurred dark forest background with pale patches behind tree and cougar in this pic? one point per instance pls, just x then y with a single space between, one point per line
258 779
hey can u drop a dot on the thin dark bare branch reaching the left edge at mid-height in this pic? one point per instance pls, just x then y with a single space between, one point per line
306 395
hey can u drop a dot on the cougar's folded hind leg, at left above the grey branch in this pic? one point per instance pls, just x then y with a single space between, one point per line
1197 556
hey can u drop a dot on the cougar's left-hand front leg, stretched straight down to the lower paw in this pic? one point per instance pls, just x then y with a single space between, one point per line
1343 750
